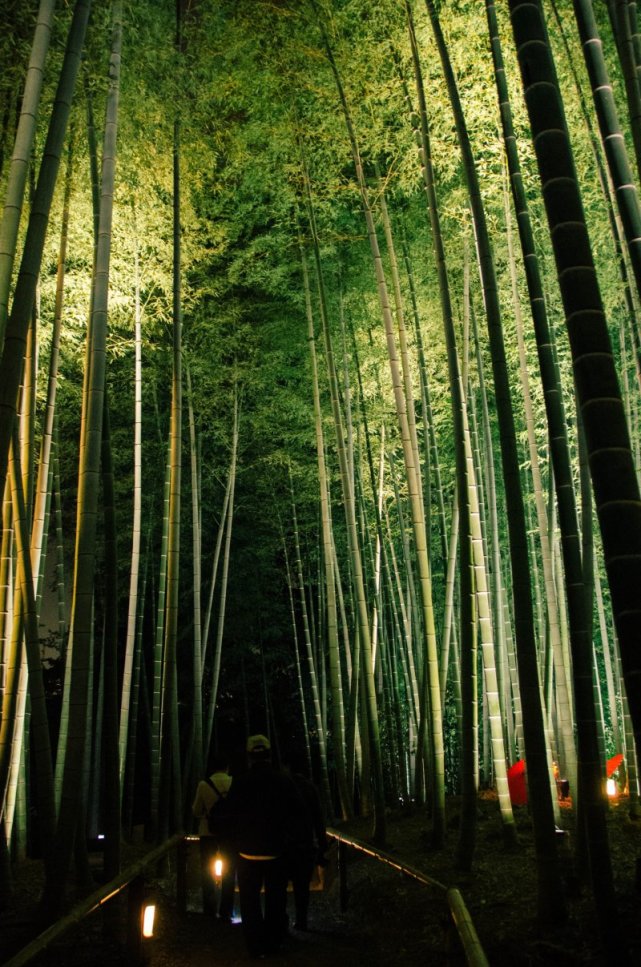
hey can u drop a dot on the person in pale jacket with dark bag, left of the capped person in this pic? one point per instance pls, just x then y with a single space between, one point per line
215 840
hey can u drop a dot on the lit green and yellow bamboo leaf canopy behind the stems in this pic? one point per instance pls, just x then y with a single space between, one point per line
258 105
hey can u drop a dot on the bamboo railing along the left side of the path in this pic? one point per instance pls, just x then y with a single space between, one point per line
132 880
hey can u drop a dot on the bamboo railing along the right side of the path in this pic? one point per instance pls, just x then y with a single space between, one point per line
460 918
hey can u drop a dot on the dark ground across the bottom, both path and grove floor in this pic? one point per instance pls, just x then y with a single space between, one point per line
390 921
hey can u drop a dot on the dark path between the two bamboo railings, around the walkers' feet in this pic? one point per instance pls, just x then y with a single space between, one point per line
390 920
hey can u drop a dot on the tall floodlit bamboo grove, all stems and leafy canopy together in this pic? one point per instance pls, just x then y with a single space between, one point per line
320 417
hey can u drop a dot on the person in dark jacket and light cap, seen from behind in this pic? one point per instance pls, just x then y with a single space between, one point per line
266 805
